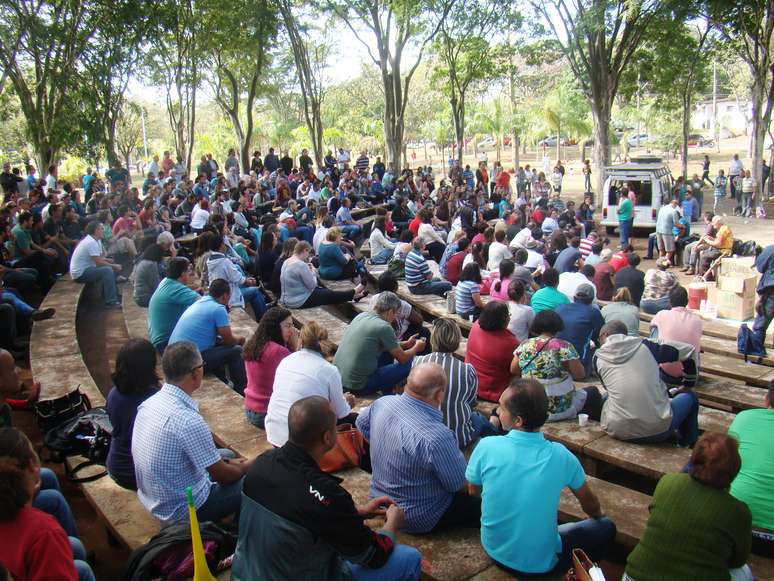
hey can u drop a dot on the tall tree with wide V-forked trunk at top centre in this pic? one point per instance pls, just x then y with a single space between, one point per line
396 26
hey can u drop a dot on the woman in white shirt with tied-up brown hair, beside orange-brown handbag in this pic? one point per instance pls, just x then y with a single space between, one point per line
302 374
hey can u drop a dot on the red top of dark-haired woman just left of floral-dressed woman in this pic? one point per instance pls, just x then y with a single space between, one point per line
491 353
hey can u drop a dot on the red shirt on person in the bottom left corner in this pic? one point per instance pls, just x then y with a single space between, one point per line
36 548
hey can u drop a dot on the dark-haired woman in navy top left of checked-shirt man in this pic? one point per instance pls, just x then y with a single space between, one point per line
134 381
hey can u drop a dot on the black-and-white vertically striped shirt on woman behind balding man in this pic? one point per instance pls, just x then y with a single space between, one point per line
460 394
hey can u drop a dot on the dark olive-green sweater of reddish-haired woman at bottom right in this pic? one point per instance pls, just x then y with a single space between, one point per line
694 531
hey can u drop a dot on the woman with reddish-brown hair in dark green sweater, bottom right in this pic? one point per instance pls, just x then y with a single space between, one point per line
696 529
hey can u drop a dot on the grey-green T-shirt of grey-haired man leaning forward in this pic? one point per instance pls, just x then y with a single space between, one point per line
367 336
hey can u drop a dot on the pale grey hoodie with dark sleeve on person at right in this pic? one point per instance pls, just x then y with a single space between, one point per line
637 404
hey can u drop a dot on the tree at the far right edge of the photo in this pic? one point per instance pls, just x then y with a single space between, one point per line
747 26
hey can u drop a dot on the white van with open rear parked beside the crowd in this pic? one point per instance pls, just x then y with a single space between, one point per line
651 181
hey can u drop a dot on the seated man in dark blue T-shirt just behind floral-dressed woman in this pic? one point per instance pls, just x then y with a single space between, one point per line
582 322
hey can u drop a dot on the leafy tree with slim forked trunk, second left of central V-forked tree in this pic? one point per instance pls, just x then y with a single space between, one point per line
238 60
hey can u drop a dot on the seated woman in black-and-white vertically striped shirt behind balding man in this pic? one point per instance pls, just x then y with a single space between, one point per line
458 406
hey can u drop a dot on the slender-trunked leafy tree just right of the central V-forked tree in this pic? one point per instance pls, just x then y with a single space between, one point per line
464 52
